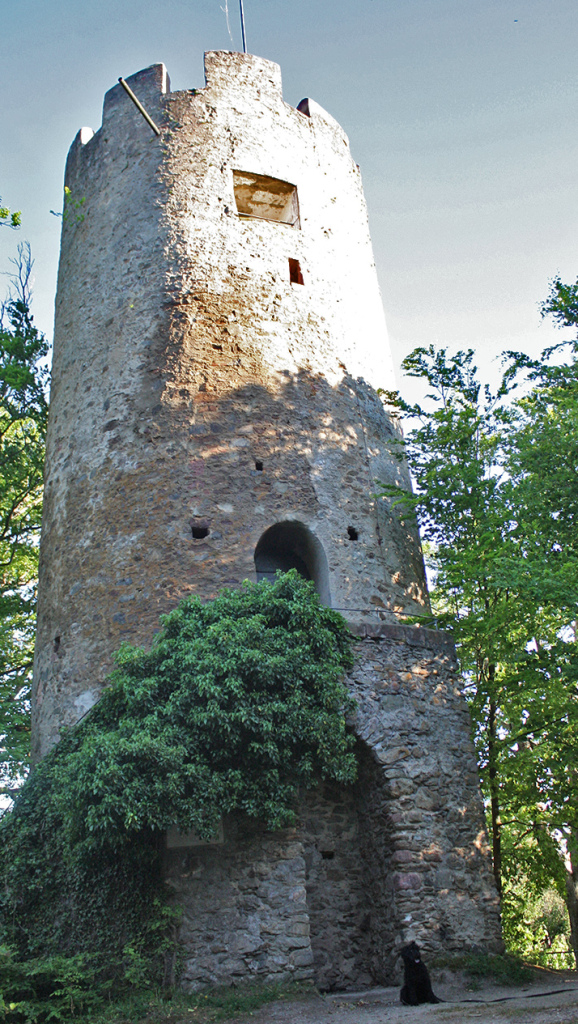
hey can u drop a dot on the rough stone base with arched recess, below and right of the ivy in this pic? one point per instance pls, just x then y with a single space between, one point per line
400 856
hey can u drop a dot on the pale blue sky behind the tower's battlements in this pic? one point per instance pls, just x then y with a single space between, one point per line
463 115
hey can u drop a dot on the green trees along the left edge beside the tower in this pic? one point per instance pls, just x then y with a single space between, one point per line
23 430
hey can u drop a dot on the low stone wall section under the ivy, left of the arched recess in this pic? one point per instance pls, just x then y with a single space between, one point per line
245 913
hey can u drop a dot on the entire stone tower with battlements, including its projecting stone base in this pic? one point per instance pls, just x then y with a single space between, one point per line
219 338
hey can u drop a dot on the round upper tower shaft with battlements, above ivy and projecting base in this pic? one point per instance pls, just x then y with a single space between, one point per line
219 339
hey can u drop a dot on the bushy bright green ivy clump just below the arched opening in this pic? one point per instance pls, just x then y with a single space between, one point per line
238 703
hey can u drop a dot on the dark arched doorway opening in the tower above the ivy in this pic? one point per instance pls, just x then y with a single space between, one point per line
292 546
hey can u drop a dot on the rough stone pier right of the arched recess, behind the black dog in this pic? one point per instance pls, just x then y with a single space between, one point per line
439 889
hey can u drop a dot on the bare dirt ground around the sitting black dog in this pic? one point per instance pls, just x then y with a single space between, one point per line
489 1004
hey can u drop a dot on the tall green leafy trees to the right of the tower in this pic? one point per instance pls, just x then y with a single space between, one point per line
497 498
